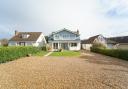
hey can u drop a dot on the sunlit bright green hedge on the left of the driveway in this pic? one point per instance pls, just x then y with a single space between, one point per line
12 53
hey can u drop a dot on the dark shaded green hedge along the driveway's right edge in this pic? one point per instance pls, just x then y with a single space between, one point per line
118 53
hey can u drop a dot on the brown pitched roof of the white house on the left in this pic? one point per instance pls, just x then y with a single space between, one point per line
33 36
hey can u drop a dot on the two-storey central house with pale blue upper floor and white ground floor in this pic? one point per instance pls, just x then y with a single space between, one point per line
64 39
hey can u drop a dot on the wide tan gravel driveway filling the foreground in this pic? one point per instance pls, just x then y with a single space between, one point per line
90 71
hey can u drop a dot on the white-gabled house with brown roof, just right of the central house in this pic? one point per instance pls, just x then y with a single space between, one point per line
87 44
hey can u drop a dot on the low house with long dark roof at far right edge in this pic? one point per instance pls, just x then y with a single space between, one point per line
122 42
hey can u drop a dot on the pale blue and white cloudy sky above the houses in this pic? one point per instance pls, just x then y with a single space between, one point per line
91 17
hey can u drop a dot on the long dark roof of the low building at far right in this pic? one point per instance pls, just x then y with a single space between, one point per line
122 39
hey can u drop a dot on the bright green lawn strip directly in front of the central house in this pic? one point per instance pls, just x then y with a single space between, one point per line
66 53
